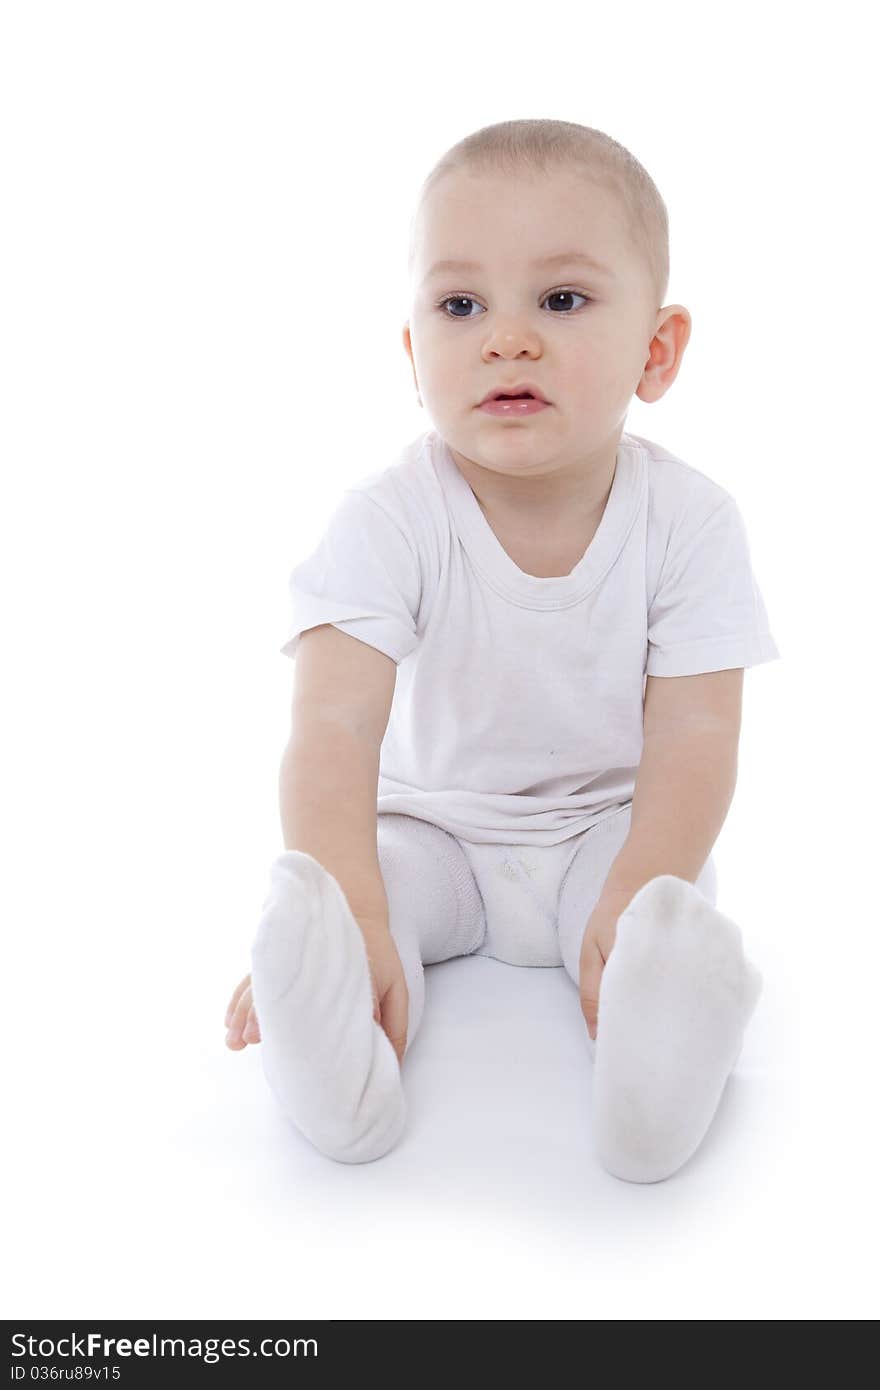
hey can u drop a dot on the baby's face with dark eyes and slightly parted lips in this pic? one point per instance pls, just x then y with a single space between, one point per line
583 336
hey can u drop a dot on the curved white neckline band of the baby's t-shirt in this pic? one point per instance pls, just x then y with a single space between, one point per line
501 571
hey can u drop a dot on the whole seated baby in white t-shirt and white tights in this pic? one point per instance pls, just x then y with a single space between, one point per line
519 679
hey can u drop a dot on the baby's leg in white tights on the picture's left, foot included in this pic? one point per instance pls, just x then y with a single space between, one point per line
329 1064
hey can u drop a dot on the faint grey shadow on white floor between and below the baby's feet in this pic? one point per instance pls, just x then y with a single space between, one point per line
498 1086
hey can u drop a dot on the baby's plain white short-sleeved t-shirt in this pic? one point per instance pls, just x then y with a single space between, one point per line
518 708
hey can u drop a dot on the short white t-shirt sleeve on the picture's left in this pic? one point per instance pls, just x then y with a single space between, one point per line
364 578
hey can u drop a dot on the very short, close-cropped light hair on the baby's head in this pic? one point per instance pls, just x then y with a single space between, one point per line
543 147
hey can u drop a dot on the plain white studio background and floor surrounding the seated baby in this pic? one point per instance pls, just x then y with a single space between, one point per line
204 290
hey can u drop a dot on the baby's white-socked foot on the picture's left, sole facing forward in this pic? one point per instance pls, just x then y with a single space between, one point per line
329 1063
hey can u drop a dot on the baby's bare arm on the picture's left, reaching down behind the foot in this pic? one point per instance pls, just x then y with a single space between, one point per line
329 787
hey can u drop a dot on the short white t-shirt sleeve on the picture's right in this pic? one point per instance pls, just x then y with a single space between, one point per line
708 614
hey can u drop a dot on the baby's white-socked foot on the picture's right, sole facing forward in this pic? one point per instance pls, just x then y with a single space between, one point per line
675 1000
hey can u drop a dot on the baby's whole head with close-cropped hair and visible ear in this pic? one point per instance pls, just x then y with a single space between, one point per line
521 202
